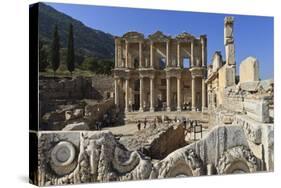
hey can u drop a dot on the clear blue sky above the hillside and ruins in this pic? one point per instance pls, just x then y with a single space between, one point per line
253 34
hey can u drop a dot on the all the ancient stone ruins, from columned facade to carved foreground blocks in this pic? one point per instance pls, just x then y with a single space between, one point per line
154 86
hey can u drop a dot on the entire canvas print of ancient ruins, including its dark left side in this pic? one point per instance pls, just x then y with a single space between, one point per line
142 105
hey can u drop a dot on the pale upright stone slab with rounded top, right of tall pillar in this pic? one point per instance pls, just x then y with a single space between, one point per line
249 70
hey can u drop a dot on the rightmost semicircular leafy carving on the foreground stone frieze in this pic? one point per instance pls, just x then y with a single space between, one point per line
237 160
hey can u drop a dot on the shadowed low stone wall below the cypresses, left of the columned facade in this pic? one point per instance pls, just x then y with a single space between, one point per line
96 87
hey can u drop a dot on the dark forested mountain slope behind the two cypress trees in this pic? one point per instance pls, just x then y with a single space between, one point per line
87 41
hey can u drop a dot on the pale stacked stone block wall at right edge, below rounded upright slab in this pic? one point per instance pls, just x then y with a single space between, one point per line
252 98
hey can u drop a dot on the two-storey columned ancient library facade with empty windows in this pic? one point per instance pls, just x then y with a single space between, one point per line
160 72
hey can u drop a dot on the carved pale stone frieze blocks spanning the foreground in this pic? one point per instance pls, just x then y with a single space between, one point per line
99 157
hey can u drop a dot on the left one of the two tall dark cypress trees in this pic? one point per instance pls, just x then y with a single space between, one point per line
55 50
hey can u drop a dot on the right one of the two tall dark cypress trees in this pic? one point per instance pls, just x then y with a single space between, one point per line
70 51
